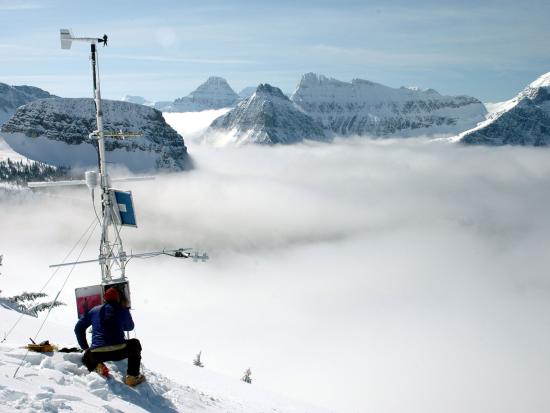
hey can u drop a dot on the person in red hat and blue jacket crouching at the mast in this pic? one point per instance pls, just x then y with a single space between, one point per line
109 322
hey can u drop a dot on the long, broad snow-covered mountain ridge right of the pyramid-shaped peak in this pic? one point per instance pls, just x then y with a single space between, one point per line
361 107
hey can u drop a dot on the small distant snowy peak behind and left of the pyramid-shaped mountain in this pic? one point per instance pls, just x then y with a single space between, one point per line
215 93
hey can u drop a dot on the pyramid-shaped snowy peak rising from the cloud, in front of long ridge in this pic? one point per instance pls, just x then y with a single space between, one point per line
267 117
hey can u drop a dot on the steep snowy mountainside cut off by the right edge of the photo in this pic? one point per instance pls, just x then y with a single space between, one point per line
523 120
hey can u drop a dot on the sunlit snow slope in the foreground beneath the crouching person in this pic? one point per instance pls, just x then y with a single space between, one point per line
59 382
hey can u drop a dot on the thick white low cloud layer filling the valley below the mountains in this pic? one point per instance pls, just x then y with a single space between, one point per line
363 275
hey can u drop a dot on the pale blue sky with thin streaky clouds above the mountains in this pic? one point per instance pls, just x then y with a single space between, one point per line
164 49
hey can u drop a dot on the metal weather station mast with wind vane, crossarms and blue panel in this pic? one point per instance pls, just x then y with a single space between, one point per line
117 207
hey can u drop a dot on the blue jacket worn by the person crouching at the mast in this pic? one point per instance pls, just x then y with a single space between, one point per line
108 321
